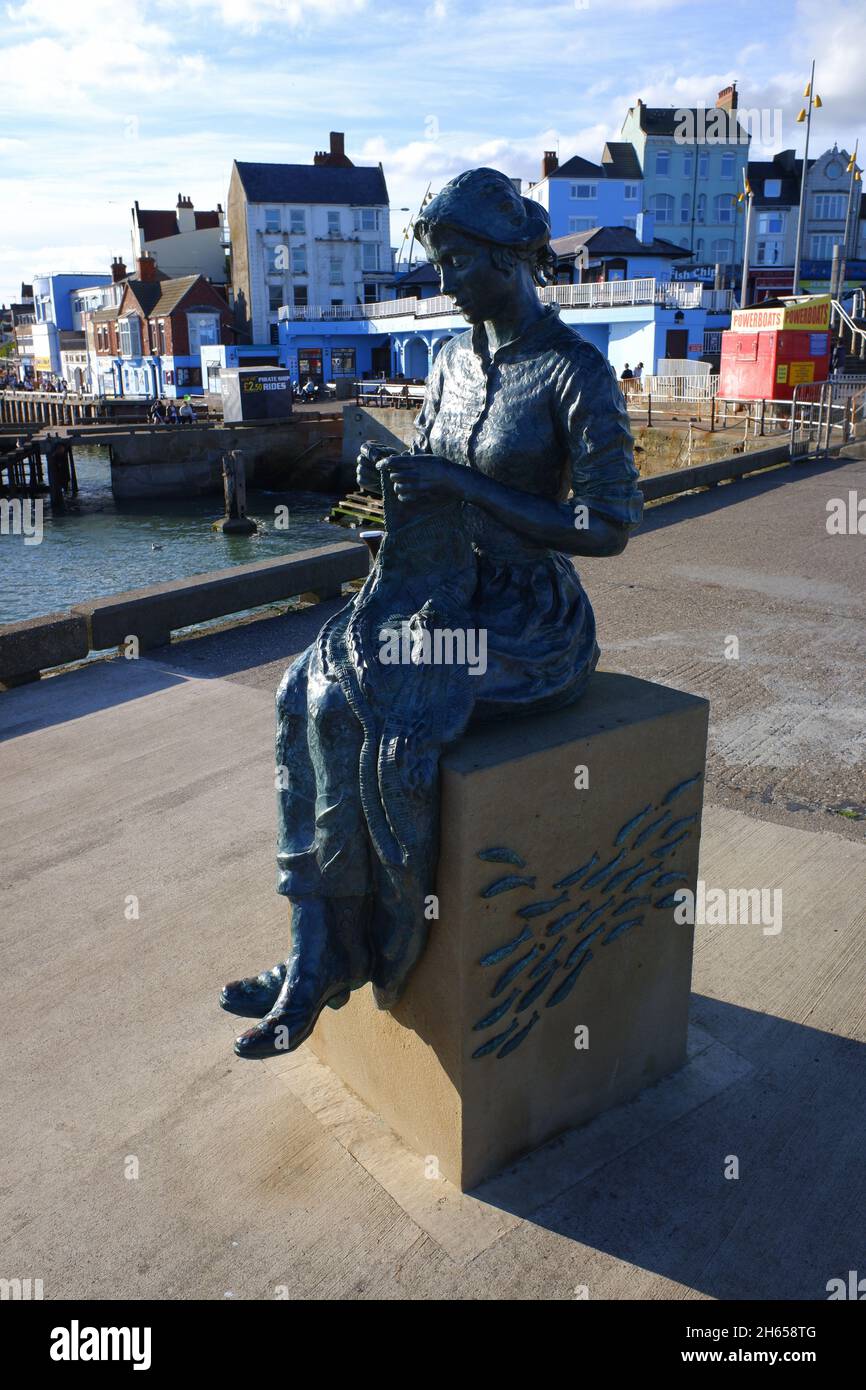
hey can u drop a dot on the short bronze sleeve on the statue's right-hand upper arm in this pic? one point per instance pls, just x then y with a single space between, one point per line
593 422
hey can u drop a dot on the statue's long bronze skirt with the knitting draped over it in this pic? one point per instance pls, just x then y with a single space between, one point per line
359 737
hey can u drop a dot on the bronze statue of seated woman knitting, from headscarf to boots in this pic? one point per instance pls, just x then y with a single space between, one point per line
523 458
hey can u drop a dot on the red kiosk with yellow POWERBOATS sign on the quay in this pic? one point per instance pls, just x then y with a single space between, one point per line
776 347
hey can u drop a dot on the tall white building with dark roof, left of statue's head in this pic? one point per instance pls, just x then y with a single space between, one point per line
305 236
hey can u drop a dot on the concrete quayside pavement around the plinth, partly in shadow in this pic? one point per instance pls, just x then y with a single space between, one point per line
144 1160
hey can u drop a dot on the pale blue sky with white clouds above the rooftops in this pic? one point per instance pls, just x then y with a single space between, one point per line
109 101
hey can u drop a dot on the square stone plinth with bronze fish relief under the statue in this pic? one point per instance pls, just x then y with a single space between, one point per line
557 917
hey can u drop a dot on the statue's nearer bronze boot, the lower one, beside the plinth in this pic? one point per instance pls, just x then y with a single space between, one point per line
330 958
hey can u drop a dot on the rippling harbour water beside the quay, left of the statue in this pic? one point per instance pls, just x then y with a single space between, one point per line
101 547
